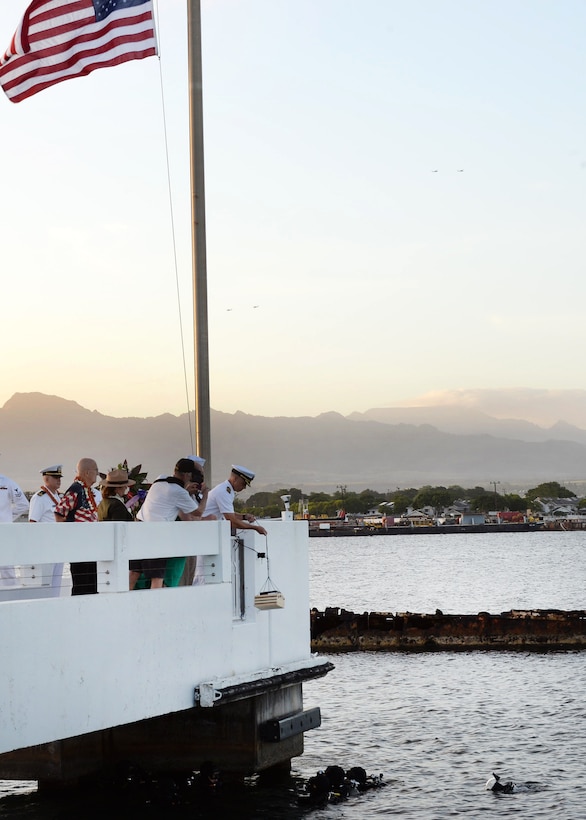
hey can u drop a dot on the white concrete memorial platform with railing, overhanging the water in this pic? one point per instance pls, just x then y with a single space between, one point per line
74 666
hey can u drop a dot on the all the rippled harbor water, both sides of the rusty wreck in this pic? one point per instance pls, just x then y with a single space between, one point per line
436 725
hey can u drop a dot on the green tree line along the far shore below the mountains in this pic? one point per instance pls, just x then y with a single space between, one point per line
269 504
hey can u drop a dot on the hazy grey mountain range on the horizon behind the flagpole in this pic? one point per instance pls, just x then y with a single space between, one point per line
374 449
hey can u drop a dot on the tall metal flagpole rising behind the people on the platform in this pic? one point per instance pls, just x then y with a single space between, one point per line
198 234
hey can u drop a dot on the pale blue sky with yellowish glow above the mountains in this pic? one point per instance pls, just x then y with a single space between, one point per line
395 205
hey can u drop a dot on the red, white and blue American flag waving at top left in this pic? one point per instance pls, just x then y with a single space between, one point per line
60 39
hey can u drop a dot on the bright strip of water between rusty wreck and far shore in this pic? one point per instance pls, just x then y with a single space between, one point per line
465 573
